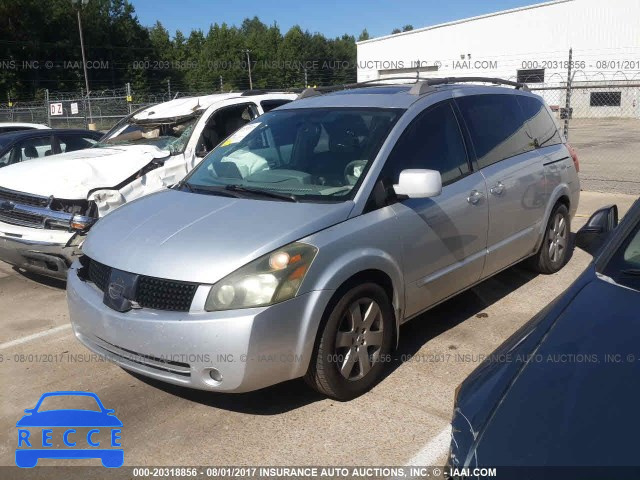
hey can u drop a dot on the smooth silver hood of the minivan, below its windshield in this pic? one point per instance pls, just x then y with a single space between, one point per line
202 238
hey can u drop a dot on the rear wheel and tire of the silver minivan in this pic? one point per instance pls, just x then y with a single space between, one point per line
554 251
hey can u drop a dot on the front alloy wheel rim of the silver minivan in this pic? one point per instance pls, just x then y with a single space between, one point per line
359 338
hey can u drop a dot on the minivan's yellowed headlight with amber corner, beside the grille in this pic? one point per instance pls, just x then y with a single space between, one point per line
270 279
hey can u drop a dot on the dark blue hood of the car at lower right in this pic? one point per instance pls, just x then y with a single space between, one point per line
576 401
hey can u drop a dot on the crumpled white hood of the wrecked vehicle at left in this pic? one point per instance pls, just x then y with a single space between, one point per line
73 175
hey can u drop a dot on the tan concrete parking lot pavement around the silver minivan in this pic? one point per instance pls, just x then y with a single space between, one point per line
402 420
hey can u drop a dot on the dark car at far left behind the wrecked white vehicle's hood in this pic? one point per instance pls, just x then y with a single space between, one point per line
25 145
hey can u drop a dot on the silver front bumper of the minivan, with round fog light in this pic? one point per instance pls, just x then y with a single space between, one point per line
229 351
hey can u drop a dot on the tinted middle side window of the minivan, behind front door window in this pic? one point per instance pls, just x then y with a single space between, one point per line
496 126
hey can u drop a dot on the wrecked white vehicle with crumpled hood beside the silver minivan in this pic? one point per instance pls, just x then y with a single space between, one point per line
50 204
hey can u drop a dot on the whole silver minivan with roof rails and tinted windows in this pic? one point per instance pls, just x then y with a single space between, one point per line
301 243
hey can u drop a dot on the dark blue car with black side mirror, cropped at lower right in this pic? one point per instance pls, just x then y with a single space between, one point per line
562 391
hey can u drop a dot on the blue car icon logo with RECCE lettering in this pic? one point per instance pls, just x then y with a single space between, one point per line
80 433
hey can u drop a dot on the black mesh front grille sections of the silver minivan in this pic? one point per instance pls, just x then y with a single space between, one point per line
151 292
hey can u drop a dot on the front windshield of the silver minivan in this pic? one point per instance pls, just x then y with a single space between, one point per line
305 154
